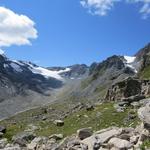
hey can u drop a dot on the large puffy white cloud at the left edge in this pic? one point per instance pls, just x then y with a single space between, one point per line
15 29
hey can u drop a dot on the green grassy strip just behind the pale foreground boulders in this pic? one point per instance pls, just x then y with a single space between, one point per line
101 117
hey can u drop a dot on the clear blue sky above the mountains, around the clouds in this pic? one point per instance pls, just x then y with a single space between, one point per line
68 34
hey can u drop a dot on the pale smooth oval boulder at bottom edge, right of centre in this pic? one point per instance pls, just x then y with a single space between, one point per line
120 143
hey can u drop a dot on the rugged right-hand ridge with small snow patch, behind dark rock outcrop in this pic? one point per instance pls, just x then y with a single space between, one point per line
110 71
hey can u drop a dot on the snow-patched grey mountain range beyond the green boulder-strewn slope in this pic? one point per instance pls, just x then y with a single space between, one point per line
24 85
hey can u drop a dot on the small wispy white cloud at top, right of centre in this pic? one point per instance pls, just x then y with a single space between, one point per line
98 7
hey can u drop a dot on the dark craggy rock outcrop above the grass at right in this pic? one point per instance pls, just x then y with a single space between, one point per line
131 89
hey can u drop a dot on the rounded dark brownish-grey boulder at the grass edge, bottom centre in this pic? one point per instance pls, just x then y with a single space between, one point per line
84 133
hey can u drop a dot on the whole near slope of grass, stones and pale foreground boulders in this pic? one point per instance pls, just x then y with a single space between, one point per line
81 127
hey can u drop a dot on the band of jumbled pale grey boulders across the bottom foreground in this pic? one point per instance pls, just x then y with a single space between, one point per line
113 138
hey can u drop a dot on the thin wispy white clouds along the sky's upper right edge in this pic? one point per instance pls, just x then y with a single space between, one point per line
102 7
